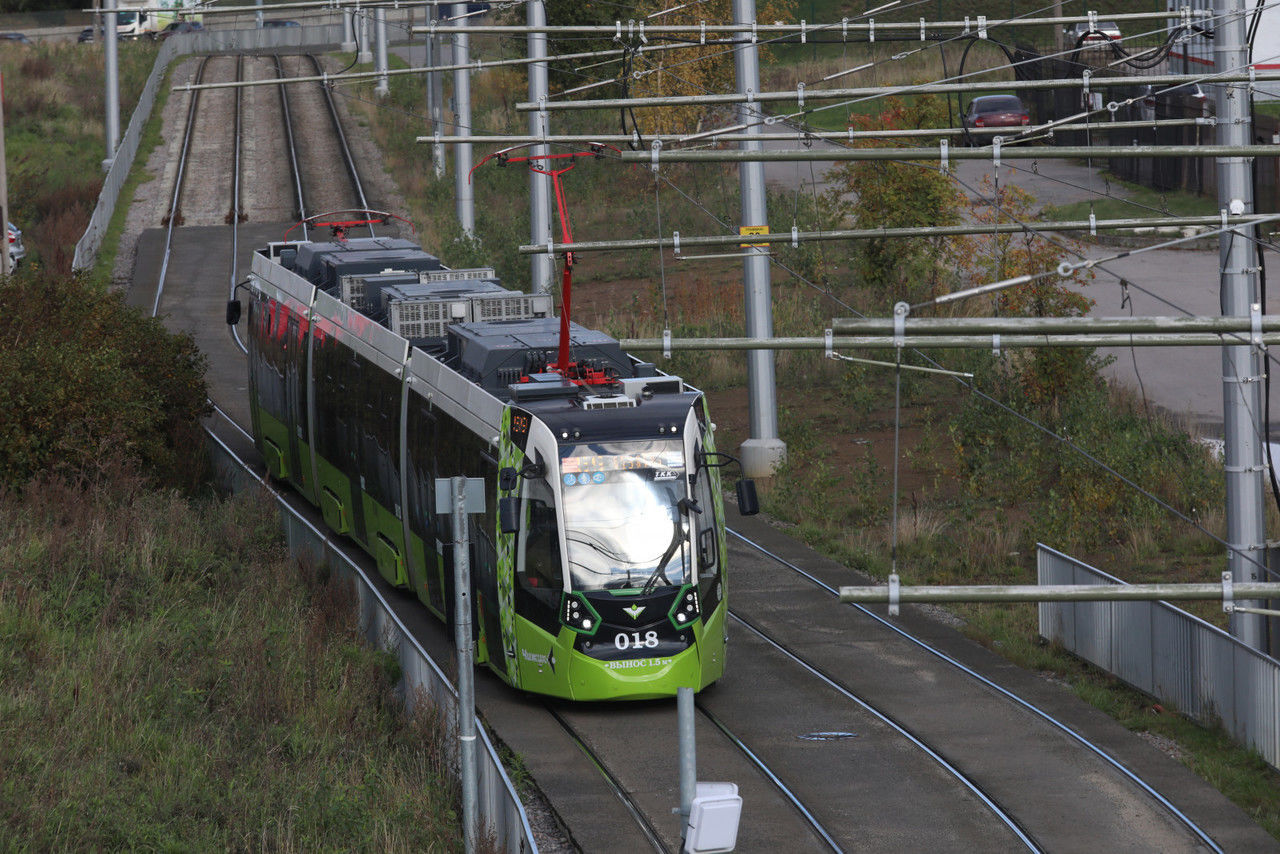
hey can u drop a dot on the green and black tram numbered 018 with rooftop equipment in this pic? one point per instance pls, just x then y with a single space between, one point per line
600 564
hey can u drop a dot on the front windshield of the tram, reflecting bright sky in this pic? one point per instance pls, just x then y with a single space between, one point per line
623 522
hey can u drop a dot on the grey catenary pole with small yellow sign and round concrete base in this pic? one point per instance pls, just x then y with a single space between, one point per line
764 453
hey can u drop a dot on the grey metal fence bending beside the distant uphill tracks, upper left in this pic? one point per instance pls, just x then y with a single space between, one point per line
203 43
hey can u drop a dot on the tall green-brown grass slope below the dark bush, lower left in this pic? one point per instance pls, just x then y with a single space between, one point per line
173 682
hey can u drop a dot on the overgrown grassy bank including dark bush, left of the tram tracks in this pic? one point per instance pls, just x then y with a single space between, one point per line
171 679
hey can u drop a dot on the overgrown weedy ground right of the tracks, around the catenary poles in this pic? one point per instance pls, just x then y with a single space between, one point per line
980 487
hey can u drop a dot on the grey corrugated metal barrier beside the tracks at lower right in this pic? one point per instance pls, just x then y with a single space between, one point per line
1165 652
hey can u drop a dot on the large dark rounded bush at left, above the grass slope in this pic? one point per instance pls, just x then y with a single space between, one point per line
88 383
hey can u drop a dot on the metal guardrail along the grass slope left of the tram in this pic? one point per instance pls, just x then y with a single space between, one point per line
500 807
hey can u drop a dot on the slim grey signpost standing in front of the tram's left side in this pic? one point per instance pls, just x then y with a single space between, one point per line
467 675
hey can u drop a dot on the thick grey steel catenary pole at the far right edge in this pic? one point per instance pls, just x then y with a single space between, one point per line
1242 367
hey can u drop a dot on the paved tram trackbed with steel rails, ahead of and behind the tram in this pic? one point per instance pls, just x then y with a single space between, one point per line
843 733
